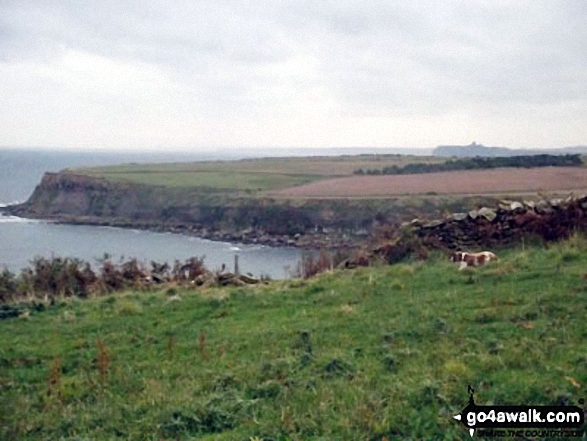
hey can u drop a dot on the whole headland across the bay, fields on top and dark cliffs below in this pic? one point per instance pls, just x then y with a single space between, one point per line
306 202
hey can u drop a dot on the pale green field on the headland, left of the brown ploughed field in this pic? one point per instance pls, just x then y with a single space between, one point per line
250 174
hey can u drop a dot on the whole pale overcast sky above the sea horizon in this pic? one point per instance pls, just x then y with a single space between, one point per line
259 73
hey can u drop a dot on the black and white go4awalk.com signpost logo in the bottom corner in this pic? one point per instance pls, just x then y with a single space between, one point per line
517 420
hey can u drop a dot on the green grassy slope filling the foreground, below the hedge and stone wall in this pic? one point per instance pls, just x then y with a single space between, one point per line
358 354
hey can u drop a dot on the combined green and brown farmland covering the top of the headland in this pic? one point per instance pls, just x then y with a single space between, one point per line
332 177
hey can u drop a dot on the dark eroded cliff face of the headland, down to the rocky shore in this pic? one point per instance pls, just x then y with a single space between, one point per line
81 199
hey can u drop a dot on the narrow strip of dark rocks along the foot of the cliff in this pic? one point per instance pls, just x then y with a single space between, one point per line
307 241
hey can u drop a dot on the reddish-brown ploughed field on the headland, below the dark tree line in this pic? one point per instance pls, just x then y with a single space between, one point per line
502 180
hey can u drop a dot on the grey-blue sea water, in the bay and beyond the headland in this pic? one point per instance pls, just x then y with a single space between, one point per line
21 240
